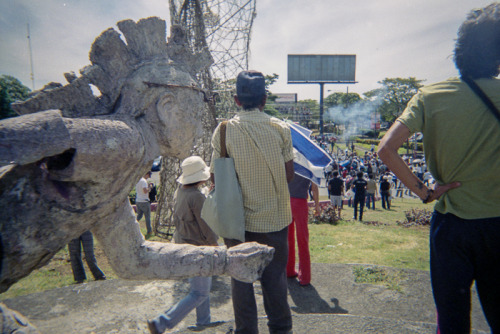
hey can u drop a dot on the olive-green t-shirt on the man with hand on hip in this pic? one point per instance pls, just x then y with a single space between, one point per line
461 143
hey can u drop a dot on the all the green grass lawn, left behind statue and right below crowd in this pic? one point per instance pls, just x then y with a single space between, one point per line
379 240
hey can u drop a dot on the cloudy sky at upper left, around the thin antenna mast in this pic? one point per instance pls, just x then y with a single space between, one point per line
61 33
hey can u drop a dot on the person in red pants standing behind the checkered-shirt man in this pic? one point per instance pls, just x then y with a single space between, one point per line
299 188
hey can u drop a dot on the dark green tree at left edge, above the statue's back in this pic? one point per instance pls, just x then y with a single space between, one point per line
11 90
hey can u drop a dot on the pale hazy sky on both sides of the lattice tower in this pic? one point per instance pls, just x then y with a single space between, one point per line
391 38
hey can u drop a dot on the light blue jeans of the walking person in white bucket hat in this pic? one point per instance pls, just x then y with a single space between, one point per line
198 297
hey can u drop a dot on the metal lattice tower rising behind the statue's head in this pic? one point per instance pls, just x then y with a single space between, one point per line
224 27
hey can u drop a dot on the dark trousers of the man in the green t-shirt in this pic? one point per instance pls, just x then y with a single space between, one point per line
464 251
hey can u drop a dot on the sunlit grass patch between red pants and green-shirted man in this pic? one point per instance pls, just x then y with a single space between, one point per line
377 240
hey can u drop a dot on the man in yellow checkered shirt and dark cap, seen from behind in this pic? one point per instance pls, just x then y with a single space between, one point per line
261 147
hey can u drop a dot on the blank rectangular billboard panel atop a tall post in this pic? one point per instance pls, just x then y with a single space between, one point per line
321 68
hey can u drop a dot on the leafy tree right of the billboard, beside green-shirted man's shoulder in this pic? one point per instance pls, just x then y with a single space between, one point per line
395 95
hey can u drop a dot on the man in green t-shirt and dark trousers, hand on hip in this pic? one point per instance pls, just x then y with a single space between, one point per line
462 150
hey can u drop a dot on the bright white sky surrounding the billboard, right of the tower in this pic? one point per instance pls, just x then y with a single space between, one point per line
390 38
